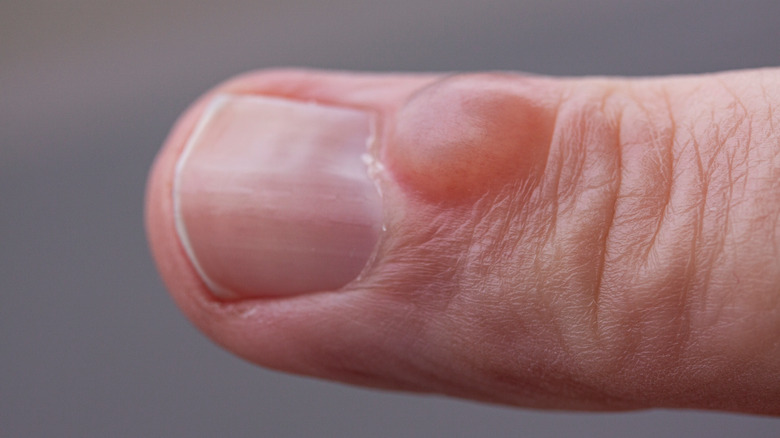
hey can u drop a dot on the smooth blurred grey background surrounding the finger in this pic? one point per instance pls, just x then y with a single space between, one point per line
90 343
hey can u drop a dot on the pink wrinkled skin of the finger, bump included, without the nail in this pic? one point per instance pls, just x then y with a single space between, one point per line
595 244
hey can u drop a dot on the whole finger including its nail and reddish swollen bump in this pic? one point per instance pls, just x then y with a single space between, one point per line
539 242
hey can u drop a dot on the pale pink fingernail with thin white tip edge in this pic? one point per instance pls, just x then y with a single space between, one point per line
272 197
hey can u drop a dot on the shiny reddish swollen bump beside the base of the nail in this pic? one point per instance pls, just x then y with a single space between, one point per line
467 136
